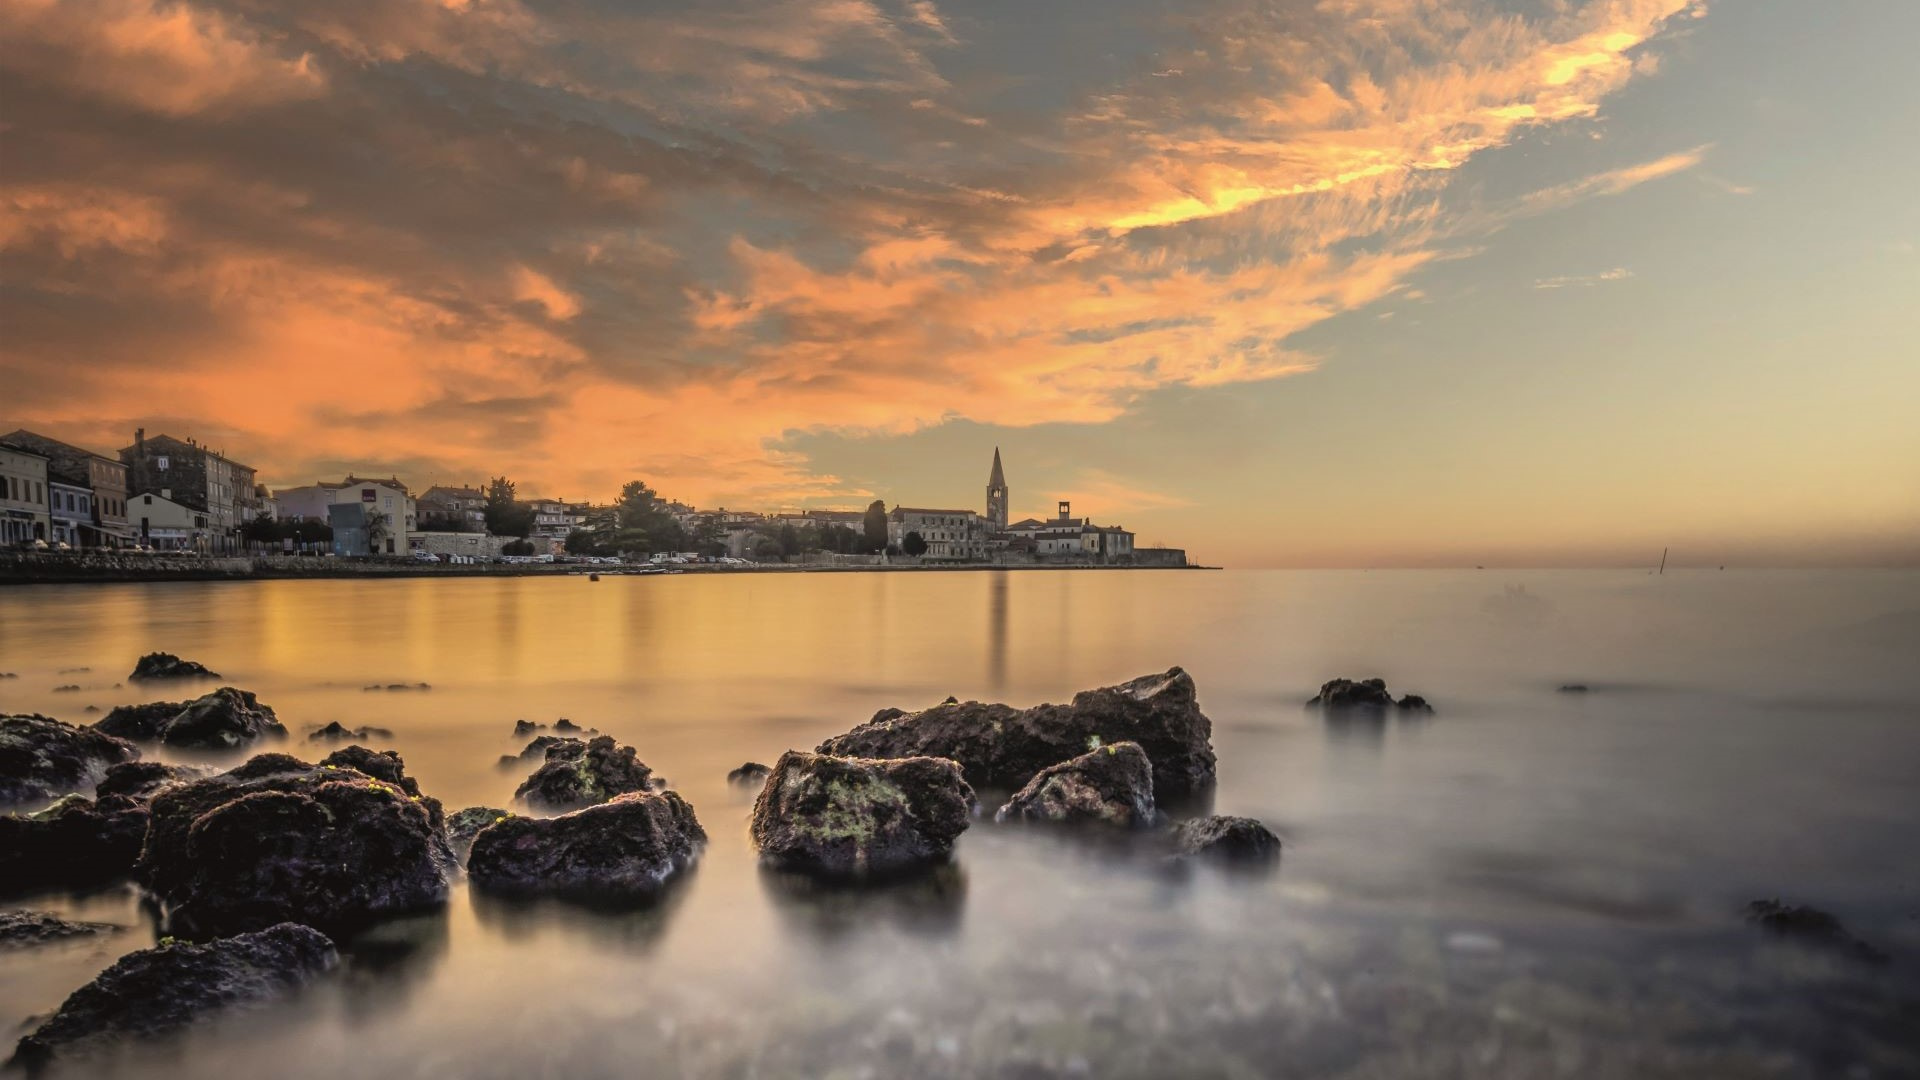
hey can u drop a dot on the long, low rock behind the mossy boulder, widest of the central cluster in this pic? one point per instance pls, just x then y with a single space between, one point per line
1003 747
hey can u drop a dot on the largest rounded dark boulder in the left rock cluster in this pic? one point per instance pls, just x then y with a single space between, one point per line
274 841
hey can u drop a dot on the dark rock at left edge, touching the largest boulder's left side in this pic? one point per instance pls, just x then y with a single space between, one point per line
76 843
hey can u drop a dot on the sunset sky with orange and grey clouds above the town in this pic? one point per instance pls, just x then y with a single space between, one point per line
1335 283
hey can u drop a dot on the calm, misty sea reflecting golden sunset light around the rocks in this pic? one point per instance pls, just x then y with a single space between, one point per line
1525 885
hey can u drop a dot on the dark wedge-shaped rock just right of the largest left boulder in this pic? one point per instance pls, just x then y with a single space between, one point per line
621 850
